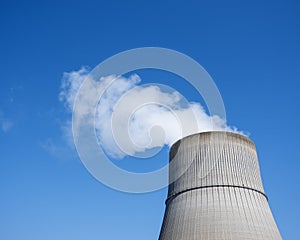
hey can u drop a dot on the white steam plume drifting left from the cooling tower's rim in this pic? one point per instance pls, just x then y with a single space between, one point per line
133 118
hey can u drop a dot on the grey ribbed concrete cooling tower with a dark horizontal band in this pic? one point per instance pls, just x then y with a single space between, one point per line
215 191
